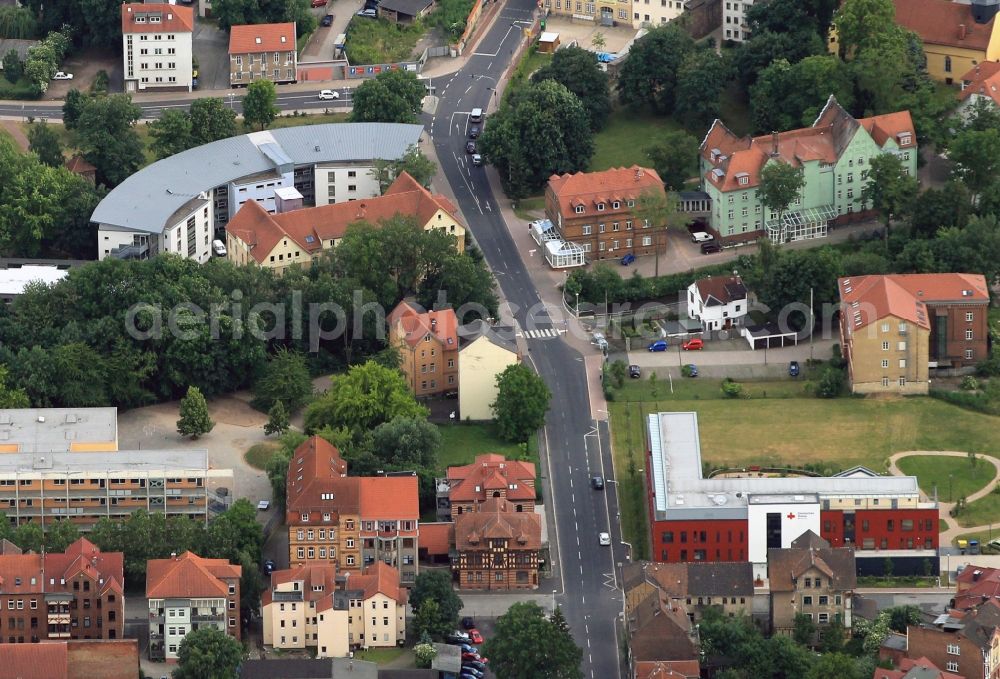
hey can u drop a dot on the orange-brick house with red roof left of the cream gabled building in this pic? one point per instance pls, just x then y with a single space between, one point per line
427 342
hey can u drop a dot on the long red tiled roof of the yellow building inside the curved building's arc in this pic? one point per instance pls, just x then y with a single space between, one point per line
309 228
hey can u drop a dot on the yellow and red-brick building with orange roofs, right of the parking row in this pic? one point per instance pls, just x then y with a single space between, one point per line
895 329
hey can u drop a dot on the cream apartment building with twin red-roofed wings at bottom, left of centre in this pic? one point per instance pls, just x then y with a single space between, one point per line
312 606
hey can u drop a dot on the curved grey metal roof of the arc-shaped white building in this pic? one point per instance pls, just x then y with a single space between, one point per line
147 199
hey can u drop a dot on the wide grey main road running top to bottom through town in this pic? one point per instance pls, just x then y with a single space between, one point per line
577 446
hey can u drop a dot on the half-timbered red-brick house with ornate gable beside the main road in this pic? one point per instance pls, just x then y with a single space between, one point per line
497 547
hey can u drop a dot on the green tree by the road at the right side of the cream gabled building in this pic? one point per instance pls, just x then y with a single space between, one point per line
522 401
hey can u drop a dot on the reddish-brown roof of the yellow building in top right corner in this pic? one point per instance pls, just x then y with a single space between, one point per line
942 22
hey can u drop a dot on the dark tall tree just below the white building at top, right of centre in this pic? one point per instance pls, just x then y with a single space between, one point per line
649 75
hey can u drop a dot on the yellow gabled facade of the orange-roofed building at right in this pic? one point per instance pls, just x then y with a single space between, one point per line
888 356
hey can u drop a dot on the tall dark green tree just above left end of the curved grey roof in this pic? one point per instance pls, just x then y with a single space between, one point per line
107 136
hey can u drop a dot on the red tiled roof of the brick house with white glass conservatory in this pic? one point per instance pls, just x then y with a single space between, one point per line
591 188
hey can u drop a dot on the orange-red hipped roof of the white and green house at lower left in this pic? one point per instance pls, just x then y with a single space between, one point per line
187 576
